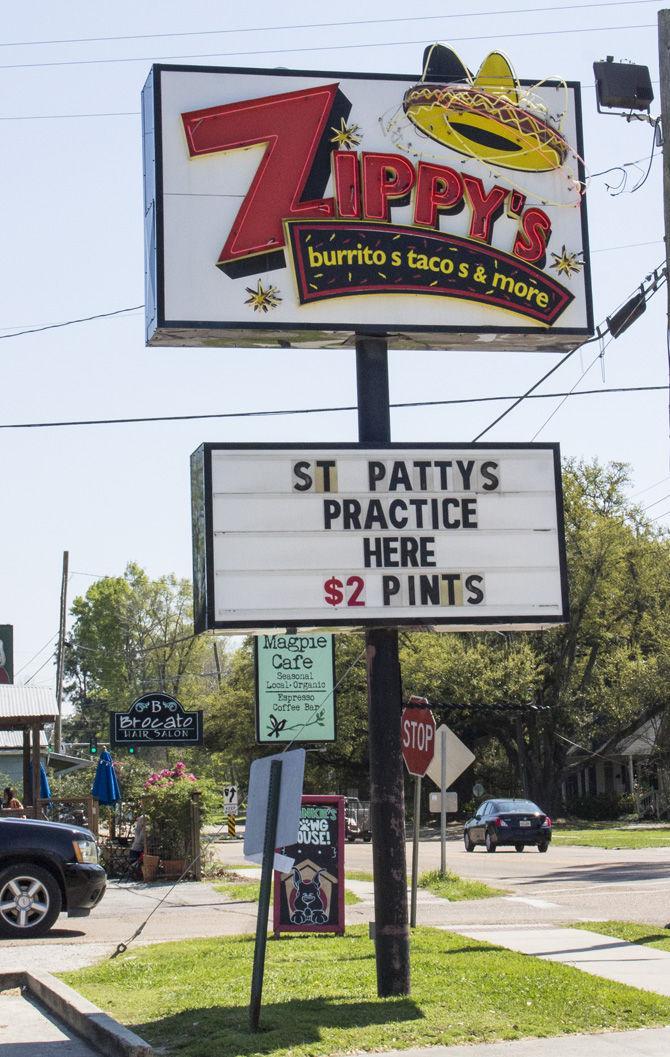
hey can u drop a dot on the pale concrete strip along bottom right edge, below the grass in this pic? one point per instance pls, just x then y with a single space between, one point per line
648 1043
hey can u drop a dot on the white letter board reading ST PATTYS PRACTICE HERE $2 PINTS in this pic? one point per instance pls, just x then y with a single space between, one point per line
469 536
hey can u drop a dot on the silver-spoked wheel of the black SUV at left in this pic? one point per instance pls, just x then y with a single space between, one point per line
30 901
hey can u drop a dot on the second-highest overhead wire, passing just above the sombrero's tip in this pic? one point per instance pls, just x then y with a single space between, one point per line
326 48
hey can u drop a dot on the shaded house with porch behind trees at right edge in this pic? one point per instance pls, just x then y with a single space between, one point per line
636 761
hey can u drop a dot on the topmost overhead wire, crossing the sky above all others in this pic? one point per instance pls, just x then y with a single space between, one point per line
324 26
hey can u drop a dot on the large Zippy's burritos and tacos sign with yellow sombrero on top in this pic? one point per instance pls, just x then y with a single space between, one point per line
302 208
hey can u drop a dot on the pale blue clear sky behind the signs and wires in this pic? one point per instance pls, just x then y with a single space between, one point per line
71 205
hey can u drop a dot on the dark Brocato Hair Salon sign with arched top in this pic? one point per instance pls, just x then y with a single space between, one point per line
157 719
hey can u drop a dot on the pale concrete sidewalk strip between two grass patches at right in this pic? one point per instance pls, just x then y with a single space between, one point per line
604 956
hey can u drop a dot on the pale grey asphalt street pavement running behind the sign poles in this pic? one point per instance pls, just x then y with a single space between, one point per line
566 885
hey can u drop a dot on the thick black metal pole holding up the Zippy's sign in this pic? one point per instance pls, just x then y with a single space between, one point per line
385 706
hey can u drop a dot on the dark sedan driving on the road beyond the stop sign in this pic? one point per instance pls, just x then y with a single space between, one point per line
508 823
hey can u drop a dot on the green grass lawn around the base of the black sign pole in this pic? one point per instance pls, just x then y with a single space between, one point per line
320 998
